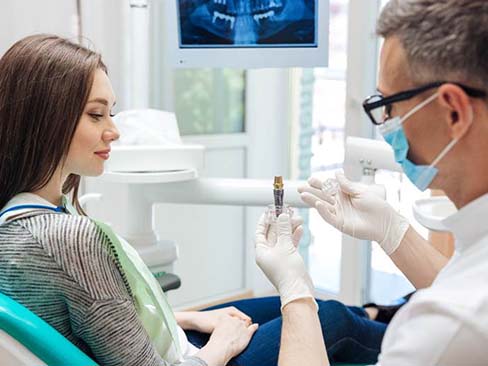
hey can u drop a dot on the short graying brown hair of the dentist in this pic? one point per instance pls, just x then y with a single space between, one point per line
443 39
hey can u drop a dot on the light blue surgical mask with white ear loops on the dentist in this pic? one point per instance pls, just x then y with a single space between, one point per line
394 134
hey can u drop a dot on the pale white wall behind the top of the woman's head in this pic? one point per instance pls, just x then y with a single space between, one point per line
105 26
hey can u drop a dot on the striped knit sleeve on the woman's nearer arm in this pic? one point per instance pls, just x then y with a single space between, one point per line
101 310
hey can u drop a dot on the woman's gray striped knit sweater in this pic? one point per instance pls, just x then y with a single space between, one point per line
60 267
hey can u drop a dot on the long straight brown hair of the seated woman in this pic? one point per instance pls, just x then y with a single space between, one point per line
45 81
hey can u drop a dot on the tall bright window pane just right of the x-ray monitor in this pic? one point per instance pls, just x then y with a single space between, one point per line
328 122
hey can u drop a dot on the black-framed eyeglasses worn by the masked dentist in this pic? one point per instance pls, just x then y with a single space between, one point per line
378 107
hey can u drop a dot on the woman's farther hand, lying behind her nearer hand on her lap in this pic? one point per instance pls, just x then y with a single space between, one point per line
207 321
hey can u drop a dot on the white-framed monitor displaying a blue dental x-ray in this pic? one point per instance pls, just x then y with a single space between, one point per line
247 33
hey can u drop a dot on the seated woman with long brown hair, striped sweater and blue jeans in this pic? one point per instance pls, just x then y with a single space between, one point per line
55 126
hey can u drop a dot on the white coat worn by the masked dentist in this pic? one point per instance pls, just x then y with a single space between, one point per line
447 323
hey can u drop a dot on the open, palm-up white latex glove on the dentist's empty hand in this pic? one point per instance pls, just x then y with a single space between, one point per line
357 211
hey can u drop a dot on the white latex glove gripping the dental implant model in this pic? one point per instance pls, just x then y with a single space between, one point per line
281 262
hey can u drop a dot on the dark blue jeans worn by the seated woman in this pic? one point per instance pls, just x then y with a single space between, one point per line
348 333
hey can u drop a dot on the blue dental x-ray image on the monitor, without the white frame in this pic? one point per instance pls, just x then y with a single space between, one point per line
248 23
